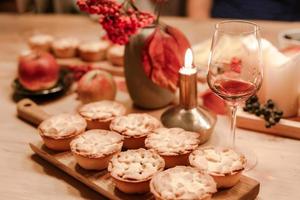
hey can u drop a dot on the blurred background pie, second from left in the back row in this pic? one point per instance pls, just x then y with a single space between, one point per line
65 47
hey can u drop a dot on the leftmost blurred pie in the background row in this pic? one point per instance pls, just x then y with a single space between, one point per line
40 42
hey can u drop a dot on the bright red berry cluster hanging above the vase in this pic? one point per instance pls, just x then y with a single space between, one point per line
119 21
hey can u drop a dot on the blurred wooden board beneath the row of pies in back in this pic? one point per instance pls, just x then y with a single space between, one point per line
103 65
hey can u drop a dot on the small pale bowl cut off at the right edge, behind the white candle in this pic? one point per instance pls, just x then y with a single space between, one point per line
289 38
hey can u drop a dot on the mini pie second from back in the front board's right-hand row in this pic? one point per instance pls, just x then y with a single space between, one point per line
134 127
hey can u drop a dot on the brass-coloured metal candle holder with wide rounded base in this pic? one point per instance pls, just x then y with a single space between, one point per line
188 115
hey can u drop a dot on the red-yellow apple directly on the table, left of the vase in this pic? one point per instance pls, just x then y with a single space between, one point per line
96 85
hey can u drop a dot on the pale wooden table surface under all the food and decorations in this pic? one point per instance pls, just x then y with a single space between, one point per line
26 176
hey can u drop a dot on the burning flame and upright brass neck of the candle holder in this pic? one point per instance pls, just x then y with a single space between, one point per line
188 82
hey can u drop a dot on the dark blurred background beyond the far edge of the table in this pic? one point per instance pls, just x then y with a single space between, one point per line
288 10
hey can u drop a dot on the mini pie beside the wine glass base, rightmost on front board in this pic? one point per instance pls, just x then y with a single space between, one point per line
223 164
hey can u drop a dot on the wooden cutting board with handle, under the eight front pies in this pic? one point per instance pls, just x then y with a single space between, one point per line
100 181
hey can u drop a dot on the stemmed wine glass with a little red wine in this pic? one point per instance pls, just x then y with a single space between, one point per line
235 68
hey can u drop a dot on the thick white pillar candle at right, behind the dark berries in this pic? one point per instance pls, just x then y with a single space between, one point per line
281 80
